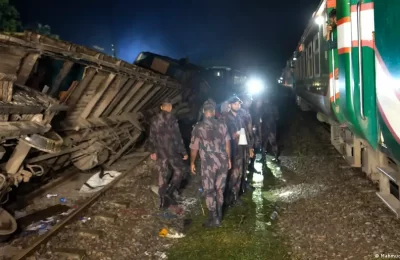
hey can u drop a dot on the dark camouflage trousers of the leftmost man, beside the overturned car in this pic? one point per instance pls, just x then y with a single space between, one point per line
164 167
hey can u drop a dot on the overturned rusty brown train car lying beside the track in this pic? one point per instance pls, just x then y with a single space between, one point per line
63 104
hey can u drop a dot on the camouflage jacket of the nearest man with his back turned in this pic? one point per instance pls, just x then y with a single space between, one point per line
209 137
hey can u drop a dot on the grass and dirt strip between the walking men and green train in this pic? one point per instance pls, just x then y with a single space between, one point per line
326 210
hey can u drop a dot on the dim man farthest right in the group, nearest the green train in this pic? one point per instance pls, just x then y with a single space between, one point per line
269 117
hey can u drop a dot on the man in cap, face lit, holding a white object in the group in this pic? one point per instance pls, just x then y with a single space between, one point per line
234 123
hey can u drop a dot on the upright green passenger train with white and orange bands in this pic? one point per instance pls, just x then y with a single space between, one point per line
352 79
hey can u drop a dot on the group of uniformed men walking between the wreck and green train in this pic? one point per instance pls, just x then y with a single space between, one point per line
224 162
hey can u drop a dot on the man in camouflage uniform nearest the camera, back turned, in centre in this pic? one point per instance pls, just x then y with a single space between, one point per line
211 137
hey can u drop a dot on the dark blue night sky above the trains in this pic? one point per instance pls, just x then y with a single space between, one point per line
256 34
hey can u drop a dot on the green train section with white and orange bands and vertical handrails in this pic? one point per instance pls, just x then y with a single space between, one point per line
355 21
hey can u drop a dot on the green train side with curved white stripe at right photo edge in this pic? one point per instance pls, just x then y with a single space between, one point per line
387 64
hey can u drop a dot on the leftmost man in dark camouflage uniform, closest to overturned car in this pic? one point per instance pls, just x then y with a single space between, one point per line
167 149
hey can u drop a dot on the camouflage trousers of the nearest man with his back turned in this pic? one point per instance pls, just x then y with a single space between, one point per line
214 170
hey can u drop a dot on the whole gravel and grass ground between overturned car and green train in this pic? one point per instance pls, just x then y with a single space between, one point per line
325 211
